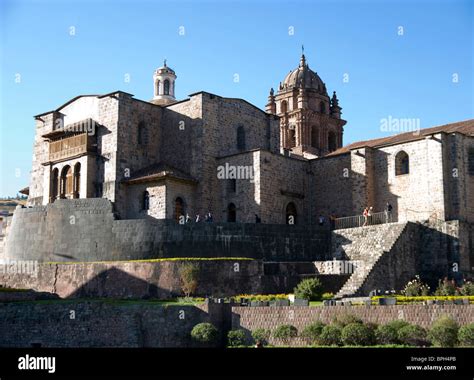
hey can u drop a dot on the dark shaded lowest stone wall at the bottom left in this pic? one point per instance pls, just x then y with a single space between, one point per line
102 324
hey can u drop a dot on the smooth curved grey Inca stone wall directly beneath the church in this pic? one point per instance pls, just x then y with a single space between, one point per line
85 230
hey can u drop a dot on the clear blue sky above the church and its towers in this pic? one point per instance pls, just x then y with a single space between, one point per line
408 76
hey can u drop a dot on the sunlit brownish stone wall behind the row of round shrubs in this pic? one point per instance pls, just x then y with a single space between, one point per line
251 318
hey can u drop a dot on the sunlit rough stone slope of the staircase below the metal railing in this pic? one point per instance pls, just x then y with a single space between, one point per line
364 246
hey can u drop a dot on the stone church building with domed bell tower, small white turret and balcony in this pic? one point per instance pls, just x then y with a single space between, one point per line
168 158
